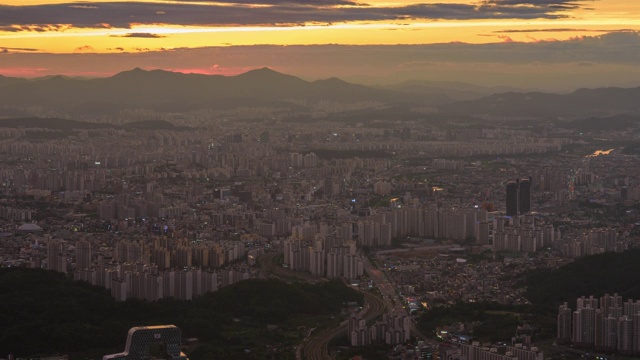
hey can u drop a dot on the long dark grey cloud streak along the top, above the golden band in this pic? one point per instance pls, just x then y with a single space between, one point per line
281 13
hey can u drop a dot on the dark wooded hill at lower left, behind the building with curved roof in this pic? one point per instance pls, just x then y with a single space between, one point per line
43 312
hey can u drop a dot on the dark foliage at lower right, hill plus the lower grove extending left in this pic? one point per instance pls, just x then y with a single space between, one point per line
546 289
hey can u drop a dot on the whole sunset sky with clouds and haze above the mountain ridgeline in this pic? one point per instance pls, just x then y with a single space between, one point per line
526 43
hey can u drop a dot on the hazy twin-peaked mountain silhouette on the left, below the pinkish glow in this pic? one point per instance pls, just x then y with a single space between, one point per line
171 91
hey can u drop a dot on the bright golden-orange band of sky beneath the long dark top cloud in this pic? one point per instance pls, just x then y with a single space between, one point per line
592 17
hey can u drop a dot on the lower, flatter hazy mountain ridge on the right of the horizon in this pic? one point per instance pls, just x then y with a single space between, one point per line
582 102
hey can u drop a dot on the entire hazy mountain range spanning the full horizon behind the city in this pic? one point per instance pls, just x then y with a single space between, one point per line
166 91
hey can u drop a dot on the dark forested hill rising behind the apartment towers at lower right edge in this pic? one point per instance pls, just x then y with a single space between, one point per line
590 275
